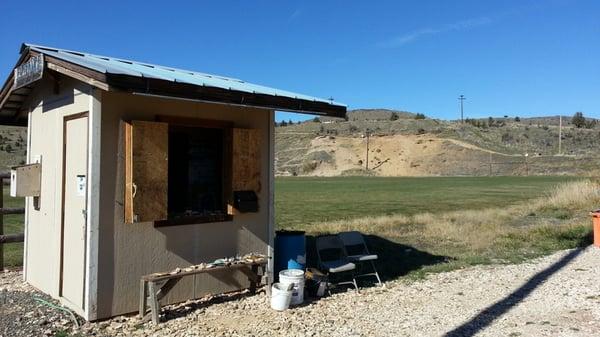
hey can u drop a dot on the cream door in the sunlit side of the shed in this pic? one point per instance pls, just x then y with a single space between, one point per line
74 209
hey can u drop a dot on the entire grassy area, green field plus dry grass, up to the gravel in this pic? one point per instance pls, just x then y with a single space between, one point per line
422 225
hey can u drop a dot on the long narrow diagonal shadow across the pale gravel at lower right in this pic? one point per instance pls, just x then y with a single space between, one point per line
489 314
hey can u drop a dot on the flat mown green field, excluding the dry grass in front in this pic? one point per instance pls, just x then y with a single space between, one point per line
301 201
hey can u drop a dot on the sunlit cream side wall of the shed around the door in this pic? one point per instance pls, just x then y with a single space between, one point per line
43 228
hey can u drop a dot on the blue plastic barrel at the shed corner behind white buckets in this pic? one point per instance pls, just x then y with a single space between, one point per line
290 250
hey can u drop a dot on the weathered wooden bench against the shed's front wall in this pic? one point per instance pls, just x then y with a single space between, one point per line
154 287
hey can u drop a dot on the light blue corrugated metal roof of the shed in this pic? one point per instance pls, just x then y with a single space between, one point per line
117 66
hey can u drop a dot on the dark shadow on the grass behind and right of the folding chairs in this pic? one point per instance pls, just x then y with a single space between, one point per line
395 260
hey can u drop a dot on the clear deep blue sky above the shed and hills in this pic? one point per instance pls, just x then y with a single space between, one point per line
524 58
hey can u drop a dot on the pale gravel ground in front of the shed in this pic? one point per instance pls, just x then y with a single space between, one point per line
558 295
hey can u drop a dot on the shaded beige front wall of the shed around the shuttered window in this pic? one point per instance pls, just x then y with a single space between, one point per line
128 251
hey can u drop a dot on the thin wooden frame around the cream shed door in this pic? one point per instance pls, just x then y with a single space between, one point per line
62 205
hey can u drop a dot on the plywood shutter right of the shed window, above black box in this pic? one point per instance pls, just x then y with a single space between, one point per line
246 160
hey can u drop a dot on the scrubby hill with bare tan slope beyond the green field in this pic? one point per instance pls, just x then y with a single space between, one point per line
406 146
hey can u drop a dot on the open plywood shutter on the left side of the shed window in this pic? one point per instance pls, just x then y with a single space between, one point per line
146 171
